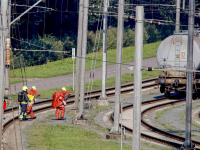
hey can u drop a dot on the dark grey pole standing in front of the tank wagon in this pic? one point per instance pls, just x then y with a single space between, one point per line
189 86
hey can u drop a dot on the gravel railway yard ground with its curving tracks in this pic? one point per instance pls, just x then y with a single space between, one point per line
163 119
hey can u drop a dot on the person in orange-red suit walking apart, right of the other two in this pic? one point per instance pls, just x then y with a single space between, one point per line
64 95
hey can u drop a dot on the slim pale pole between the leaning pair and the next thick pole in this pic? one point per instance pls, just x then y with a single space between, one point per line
104 63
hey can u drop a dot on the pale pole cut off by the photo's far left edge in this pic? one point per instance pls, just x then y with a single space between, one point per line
3 8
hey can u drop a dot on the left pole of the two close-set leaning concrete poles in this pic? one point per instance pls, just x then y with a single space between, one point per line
78 58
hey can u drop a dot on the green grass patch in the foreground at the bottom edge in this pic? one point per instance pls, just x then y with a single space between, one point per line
60 137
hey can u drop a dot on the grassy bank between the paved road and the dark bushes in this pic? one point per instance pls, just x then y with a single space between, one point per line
65 66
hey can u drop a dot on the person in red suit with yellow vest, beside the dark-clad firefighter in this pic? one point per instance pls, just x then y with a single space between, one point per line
32 95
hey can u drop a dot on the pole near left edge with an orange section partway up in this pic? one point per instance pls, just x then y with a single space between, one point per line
6 20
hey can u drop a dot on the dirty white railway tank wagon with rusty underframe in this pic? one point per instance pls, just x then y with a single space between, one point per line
172 54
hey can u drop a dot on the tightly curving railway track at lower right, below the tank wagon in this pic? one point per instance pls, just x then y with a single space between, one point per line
161 103
